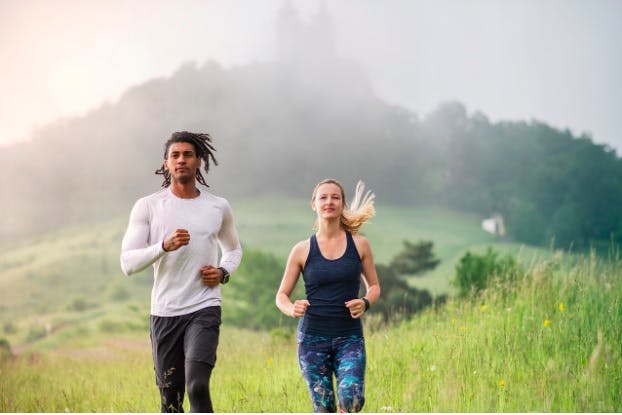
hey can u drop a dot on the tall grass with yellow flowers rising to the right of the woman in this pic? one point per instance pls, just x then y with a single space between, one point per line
548 343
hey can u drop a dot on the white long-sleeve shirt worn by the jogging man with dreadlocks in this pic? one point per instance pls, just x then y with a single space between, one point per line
177 287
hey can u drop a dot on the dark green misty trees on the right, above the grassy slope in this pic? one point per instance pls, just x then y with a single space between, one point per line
551 187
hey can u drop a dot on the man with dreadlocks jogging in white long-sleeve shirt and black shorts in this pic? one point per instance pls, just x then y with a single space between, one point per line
178 230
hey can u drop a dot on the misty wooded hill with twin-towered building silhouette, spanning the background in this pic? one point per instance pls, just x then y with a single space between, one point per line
281 126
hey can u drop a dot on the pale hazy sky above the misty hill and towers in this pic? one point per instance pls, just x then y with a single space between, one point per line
558 61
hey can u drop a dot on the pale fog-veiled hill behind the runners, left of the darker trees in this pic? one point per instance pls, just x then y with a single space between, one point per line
275 129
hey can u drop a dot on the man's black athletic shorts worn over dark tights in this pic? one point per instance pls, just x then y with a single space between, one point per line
176 340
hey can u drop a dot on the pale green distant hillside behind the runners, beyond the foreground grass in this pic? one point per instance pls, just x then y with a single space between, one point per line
63 277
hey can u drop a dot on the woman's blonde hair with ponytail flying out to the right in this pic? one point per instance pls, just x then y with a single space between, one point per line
360 210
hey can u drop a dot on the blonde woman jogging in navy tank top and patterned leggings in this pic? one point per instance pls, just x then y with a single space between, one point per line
330 333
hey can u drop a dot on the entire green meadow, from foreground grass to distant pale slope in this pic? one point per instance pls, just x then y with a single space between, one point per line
549 341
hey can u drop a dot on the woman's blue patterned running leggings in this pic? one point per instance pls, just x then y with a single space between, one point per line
322 357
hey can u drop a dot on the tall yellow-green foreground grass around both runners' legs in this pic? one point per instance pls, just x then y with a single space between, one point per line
547 342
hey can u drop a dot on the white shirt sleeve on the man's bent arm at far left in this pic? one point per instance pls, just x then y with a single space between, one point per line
136 255
